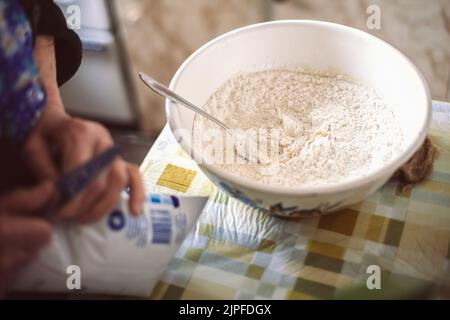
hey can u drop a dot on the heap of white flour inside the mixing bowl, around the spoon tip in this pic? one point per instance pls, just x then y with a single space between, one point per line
332 128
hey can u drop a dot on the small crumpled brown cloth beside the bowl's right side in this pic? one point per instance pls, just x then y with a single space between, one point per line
420 165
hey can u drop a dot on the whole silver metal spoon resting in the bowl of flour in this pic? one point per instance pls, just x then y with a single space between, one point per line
237 138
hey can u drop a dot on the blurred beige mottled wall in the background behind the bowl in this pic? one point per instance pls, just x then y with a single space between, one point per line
161 34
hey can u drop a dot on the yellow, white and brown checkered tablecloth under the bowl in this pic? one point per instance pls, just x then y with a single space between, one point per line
238 252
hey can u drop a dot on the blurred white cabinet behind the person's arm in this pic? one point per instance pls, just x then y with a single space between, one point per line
100 90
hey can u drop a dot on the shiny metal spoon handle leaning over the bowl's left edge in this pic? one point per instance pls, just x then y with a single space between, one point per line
167 93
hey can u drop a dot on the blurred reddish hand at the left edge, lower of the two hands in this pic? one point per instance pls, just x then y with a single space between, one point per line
22 234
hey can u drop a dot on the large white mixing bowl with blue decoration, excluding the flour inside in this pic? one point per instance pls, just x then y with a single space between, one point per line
321 46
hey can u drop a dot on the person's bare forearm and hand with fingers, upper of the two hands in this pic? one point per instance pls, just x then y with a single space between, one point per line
59 143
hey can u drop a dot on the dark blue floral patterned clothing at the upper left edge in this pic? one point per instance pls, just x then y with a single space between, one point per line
22 97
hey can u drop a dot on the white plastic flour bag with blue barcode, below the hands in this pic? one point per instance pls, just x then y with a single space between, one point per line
120 254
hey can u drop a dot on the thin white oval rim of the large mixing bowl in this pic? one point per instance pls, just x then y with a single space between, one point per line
312 190
